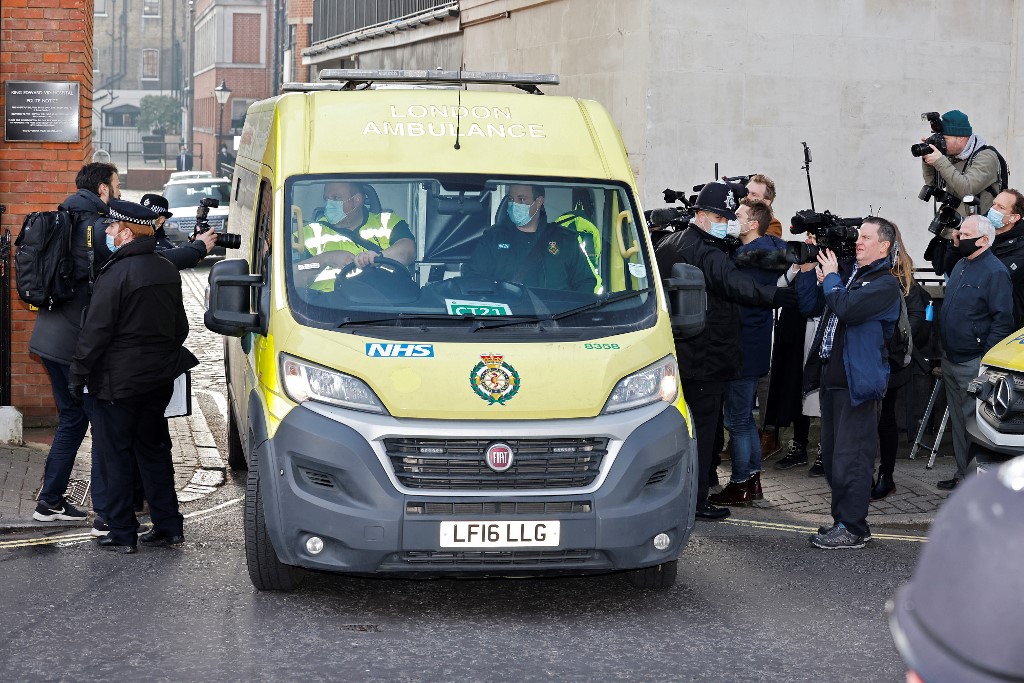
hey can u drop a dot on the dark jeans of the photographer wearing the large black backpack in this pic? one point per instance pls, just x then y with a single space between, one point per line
72 424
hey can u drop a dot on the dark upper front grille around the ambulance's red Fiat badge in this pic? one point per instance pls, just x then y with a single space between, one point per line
459 464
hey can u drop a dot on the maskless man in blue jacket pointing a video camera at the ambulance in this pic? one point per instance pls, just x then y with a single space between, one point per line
860 304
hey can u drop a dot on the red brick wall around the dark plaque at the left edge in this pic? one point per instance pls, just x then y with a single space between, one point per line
44 40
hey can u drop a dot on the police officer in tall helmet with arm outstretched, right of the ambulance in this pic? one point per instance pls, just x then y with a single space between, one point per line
709 361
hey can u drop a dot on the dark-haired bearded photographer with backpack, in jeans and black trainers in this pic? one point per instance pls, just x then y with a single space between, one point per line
54 341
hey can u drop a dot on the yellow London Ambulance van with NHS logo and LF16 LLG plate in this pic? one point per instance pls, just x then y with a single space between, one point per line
449 351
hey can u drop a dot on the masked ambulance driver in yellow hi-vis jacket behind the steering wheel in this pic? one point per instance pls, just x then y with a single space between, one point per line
350 233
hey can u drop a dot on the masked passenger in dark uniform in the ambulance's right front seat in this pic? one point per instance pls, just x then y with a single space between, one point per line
524 247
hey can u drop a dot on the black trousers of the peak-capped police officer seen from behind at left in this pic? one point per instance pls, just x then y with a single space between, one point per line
131 433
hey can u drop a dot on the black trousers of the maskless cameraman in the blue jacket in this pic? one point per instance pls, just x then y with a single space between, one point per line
849 444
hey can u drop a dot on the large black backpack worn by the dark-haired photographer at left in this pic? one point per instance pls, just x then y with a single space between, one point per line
45 264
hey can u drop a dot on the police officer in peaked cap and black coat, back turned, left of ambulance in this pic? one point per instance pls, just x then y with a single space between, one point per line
129 354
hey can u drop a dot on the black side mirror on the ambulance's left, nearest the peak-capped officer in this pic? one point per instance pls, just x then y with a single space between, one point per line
229 312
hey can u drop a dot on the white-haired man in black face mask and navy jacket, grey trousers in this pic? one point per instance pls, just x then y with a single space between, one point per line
977 313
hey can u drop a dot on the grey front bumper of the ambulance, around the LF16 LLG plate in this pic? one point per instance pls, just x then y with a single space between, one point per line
326 478
